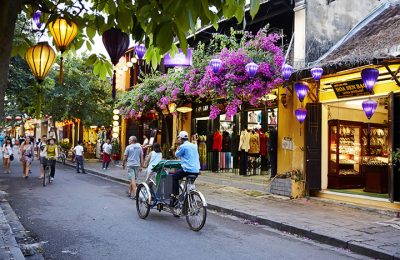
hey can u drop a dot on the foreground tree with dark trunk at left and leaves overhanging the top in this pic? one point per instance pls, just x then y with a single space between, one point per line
157 23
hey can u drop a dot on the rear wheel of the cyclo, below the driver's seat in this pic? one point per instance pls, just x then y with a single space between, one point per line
196 211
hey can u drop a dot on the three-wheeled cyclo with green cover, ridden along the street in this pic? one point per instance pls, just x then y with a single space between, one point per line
156 194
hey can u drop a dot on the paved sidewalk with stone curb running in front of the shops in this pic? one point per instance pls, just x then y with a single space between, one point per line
364 232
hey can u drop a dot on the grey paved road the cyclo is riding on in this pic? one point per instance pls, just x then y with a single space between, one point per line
86 217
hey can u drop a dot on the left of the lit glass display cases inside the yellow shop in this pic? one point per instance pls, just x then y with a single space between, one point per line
344 154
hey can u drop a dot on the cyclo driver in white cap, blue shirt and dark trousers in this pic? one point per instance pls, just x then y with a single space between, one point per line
190 162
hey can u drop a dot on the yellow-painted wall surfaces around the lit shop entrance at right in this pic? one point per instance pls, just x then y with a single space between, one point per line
288 126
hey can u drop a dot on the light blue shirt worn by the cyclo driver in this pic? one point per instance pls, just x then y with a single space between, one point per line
189 157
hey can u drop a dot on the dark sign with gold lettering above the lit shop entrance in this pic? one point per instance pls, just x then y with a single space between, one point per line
351 88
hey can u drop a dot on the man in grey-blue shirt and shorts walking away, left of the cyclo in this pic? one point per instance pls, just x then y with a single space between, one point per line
133 159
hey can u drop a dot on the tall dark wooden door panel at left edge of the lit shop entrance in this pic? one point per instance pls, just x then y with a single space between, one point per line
313 146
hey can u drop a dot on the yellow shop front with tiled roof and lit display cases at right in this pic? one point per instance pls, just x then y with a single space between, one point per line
342 149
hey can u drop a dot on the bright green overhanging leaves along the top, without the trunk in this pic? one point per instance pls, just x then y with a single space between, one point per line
156 23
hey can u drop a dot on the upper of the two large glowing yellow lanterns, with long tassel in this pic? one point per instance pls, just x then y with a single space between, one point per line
64 32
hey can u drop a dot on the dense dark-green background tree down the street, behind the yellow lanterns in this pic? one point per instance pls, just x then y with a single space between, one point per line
82 95
